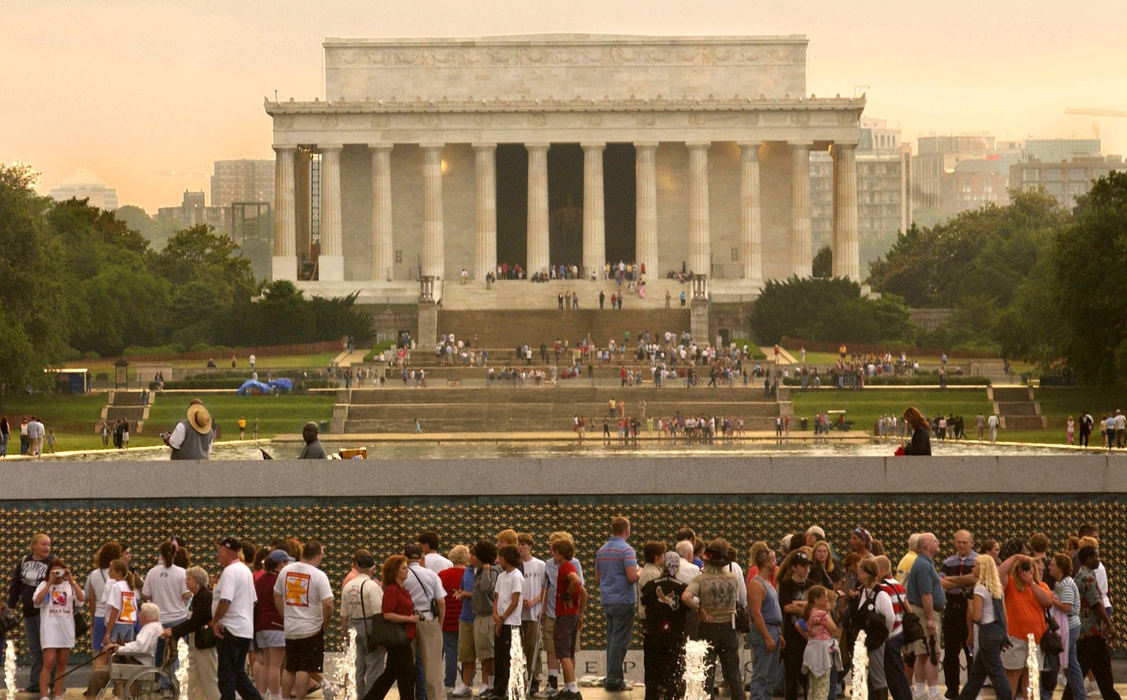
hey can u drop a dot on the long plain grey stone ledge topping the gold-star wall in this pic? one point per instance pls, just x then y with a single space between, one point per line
641 476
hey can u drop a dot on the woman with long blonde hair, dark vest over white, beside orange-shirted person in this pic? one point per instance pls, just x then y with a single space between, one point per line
988 610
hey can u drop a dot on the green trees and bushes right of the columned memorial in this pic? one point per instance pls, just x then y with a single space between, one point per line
1028 281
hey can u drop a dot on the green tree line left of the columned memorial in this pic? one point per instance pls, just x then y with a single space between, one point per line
77 281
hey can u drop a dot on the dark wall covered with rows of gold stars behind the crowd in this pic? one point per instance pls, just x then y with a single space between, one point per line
385 524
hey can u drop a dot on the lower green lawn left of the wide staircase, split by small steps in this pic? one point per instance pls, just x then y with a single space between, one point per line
74 419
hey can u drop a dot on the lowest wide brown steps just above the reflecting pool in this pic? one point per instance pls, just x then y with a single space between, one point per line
504 407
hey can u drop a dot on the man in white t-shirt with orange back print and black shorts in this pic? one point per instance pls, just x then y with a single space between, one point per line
304 598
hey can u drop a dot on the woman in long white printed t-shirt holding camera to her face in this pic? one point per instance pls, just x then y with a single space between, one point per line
56 599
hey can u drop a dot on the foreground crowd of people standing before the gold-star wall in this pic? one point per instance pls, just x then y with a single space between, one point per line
1017 614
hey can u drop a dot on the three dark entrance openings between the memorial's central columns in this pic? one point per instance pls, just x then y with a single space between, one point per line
565 203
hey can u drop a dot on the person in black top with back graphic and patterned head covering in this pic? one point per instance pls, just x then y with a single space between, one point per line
665 632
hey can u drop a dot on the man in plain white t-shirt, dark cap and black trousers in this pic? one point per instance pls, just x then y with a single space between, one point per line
234 622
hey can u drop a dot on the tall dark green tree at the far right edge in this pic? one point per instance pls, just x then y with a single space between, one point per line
1089 260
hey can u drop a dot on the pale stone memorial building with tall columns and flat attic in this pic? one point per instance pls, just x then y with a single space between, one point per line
437 156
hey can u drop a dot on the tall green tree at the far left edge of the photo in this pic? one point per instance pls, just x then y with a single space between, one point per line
31 289
